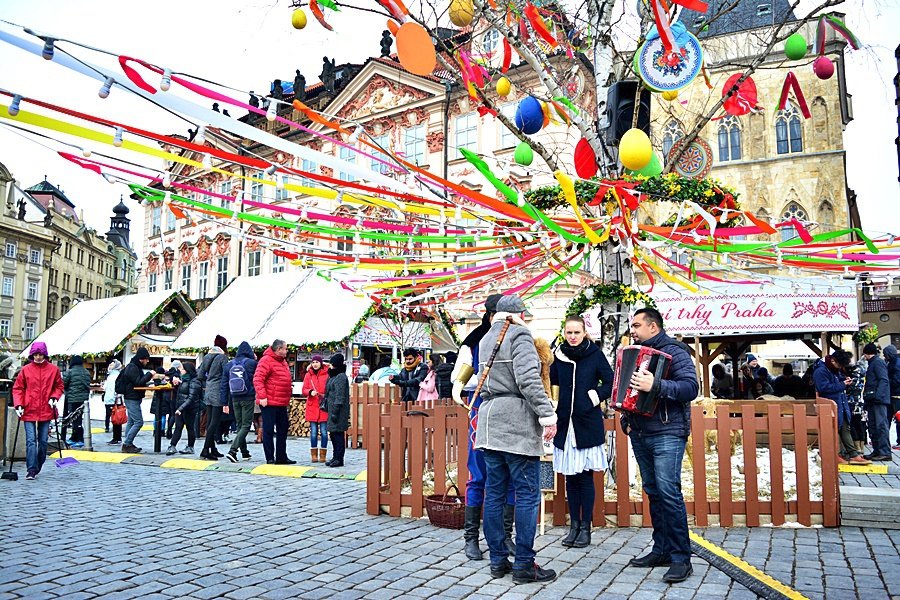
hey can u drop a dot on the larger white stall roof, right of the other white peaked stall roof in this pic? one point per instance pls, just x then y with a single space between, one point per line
297 306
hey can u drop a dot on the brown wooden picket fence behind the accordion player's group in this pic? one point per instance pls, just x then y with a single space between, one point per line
402 446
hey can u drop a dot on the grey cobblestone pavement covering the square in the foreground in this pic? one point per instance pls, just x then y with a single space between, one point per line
126 531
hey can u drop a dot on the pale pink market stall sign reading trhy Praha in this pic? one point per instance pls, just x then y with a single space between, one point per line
736 309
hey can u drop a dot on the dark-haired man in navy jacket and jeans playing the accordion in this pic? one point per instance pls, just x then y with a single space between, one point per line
658 442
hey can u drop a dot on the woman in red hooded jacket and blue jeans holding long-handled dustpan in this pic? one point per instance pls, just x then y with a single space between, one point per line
36 392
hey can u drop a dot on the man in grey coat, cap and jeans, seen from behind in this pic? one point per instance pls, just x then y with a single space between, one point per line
515 414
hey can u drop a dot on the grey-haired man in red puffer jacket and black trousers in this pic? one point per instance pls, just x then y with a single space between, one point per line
272 382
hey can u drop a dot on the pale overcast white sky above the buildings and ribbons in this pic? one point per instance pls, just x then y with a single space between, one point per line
247 43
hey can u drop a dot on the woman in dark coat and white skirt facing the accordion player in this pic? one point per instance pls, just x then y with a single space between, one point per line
584 378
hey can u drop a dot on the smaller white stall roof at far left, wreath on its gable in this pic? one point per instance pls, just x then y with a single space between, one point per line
104 326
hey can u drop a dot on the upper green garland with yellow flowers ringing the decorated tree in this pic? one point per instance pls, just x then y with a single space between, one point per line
708 193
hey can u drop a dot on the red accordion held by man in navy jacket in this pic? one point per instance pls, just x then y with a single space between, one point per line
628 360
